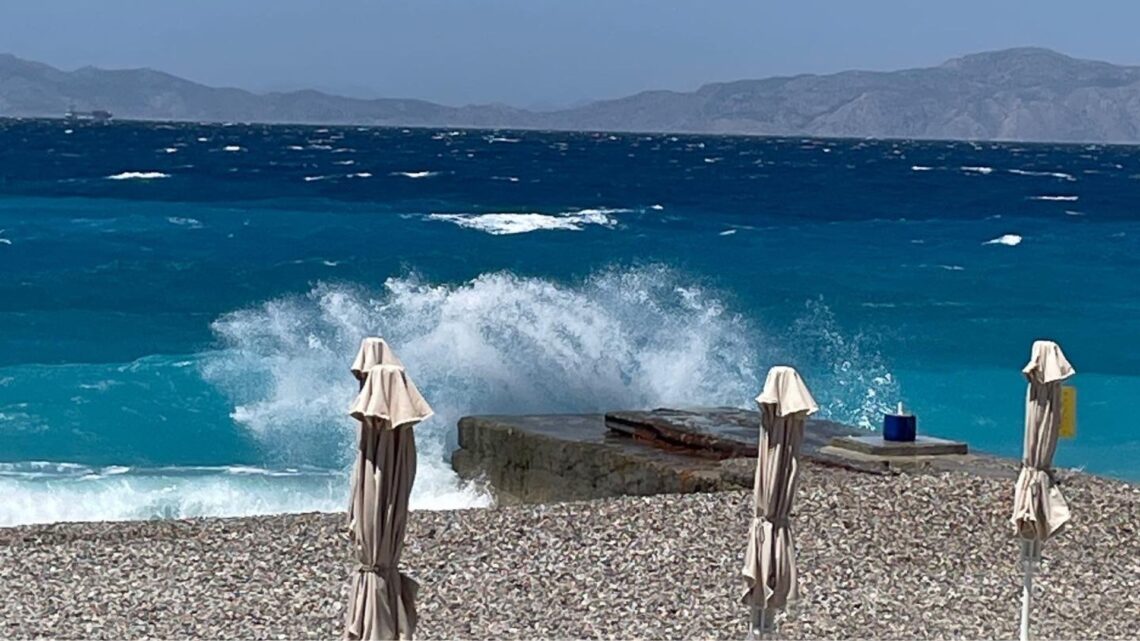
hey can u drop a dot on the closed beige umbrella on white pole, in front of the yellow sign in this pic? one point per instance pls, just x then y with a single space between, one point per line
1039 509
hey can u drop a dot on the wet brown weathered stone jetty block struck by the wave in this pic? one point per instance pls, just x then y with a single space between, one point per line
582 457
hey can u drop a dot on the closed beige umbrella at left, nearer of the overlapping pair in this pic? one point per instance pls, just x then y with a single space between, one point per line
382 599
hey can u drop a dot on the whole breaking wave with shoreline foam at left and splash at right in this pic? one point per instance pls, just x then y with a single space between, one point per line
624 338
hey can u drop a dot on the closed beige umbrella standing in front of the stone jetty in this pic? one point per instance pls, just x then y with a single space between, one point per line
770 559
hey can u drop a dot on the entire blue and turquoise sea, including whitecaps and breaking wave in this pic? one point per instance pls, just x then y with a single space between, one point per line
180 303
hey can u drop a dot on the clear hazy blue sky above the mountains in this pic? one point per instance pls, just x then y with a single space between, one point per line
542 53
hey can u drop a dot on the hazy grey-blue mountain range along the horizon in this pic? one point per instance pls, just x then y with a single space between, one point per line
1025 94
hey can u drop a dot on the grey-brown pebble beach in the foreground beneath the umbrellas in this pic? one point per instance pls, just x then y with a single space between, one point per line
898 557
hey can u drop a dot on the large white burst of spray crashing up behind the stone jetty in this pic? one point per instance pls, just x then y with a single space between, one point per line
499 344
